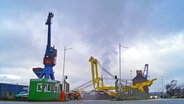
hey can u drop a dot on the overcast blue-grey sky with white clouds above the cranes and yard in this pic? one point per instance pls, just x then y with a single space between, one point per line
153 31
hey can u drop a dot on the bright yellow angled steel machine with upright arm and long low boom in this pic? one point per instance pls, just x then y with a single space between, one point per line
98 83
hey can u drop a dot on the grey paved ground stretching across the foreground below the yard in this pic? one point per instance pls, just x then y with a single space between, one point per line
155 101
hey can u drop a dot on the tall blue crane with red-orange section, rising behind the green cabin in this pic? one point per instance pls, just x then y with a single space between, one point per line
49 59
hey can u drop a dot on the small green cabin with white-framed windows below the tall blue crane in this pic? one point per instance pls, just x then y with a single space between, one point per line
44 90
